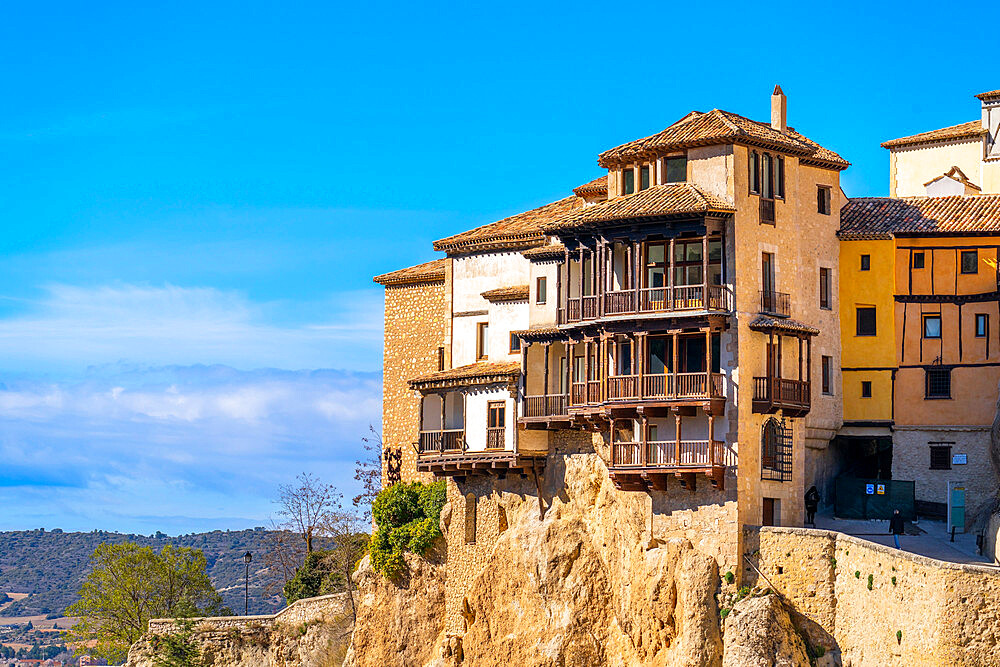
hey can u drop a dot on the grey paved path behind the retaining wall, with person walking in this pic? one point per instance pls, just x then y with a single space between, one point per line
927 538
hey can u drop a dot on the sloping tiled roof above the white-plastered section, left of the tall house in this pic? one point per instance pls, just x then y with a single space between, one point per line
518 231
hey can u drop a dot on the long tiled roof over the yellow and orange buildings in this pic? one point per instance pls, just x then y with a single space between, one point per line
881 217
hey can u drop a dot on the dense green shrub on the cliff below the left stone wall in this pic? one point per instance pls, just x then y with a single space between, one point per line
407 517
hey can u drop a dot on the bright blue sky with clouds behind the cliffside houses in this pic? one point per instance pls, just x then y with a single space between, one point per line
196 195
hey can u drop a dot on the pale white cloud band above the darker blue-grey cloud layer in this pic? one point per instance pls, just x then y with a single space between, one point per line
181 325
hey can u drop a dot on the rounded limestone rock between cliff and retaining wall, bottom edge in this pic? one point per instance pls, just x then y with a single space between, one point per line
759 633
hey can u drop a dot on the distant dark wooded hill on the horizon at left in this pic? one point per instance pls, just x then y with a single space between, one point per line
51 565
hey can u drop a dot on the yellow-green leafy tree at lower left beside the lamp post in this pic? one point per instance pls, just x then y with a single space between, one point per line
128 585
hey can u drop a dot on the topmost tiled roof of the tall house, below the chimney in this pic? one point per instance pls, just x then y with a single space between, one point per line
721 127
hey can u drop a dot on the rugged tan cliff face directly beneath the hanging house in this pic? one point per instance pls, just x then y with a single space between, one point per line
578 582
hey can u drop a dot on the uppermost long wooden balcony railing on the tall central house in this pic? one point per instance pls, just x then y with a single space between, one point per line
649 300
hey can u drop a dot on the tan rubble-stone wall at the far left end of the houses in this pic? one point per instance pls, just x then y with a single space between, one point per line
416 320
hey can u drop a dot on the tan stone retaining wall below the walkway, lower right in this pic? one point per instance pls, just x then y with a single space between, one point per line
880 606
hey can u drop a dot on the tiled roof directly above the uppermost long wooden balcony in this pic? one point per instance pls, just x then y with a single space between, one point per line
659 200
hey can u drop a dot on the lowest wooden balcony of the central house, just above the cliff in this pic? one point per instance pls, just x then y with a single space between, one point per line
644 465
